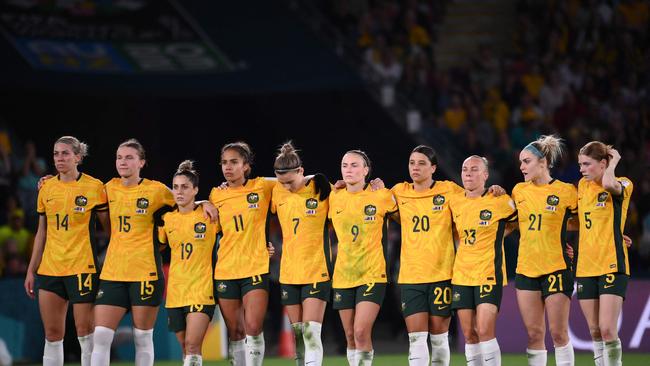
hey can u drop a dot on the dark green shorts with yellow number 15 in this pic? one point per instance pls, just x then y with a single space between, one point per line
127 294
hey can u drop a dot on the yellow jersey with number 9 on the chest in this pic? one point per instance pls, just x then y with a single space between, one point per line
360 223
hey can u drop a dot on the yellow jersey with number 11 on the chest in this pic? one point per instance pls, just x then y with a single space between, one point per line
243 214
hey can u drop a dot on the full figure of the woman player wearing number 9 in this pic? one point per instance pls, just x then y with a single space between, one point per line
359 217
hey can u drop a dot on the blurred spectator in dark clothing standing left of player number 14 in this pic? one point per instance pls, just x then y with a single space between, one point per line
31 168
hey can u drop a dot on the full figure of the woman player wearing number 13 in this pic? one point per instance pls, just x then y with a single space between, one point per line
479 268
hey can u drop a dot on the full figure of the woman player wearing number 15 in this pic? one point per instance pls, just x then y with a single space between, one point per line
131 277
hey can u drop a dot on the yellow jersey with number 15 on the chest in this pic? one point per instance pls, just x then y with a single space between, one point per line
132 253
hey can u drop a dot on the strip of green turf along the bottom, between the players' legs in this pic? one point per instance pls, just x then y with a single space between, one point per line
582 359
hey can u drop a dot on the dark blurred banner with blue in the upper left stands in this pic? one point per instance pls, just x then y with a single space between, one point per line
119 37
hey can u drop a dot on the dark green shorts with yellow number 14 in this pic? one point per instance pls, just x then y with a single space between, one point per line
77 289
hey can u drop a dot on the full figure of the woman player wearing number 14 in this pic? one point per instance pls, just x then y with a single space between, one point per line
64 255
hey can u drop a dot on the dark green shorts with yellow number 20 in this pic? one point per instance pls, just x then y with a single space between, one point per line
432 298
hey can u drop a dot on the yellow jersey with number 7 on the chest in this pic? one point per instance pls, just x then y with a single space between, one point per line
306 254
